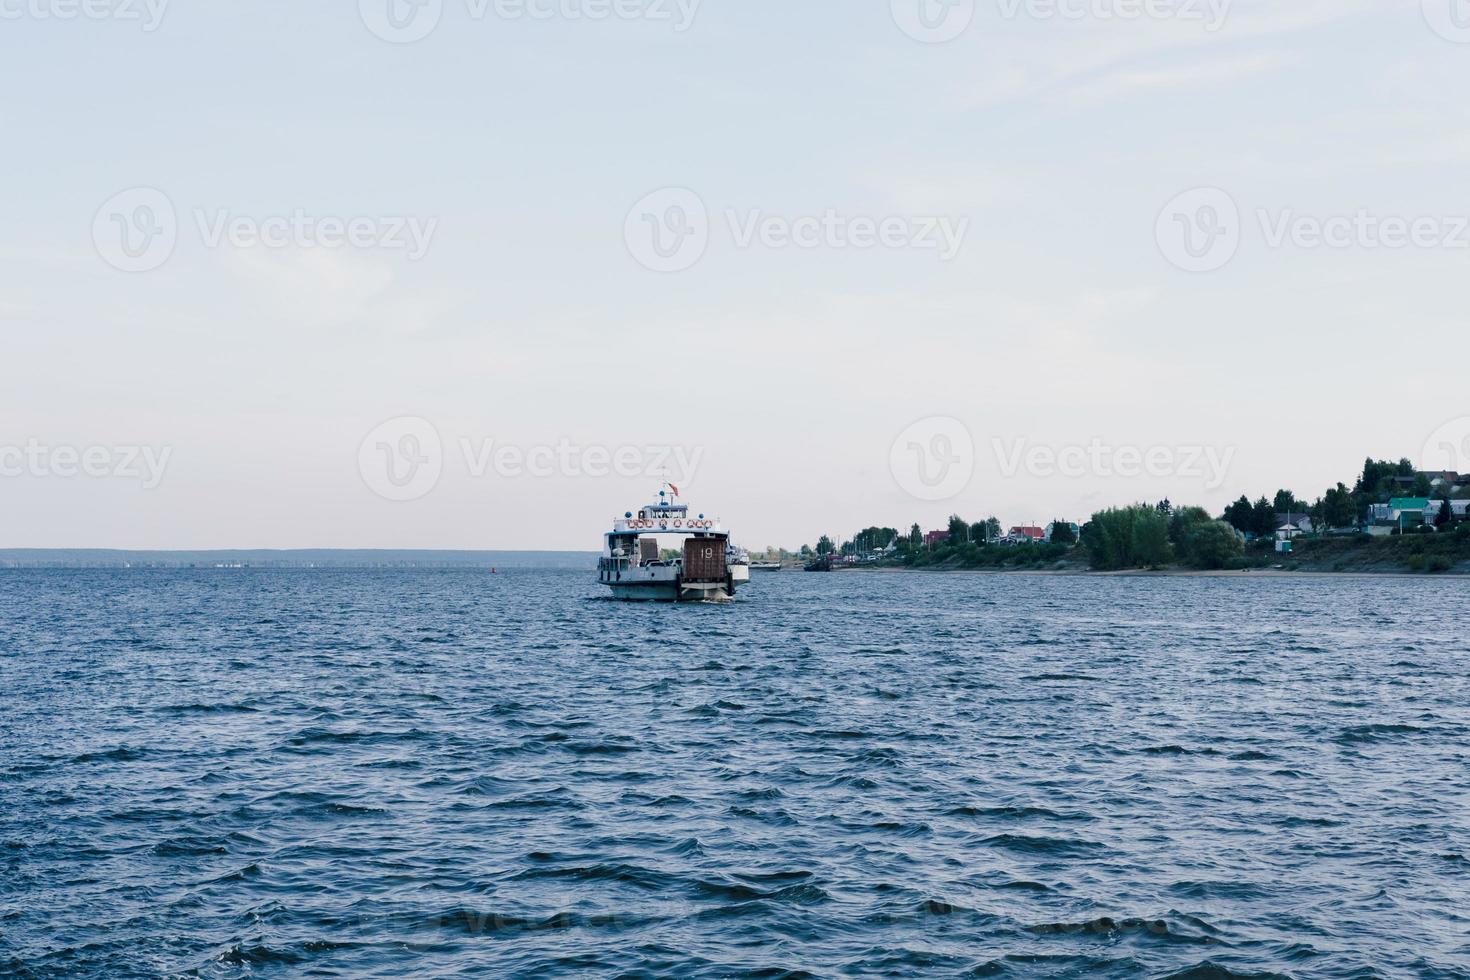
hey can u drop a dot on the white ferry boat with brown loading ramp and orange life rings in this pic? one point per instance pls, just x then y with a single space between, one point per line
636 566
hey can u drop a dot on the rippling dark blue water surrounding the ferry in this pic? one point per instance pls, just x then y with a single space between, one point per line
248 774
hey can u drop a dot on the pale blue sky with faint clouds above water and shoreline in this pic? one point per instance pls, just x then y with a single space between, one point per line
992 201
